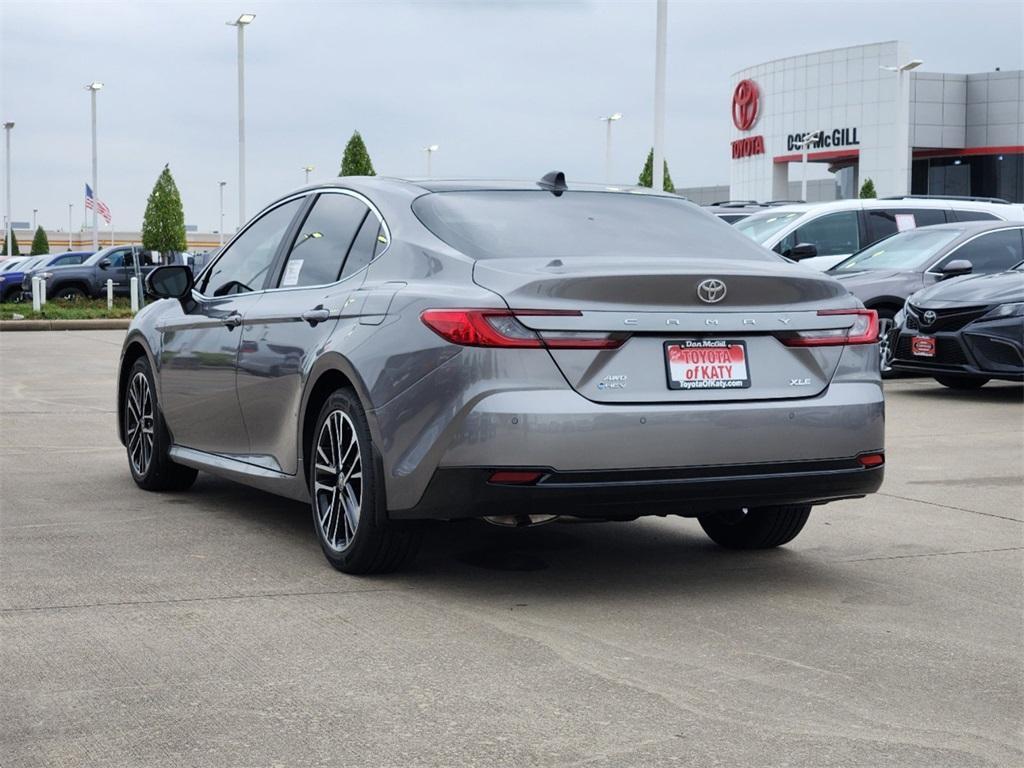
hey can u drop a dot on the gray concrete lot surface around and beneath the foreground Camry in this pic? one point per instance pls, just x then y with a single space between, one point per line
206 629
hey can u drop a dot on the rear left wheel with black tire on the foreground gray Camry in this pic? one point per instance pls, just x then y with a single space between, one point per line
377 545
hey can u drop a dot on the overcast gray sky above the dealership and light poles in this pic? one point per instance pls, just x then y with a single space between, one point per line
506 89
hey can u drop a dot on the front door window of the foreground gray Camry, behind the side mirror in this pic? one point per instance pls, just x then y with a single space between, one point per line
244 267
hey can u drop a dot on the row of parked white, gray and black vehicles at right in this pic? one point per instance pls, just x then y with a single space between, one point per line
946 275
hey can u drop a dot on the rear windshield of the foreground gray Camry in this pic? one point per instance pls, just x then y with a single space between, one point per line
493 225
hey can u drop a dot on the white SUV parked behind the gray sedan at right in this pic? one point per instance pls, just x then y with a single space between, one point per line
822 235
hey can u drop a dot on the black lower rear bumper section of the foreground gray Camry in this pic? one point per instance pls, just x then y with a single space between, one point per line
629 494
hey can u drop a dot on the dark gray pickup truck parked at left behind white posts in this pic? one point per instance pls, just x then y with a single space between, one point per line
89 280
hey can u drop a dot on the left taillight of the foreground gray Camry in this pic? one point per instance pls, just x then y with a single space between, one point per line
499 328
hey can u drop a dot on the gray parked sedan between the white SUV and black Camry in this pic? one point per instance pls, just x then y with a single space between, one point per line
884 275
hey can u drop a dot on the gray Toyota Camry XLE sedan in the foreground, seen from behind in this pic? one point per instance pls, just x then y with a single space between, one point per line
393 352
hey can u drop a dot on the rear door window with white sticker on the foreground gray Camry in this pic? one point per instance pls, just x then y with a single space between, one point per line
325 240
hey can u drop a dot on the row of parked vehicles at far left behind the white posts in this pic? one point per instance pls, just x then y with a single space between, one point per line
78 275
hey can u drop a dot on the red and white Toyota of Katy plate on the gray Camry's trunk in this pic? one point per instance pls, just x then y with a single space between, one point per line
707 364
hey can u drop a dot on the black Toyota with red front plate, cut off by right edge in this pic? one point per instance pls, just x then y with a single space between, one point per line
966 331
